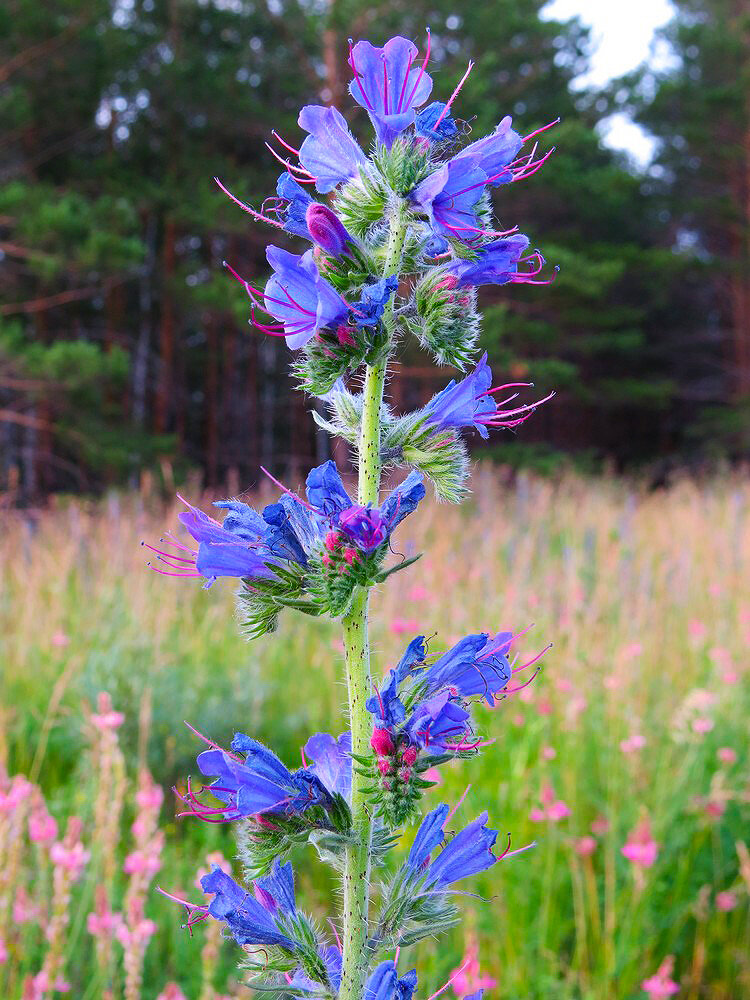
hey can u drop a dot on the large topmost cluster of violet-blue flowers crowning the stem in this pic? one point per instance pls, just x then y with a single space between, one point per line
327 300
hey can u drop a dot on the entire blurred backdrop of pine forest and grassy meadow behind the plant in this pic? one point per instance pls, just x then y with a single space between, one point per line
616 521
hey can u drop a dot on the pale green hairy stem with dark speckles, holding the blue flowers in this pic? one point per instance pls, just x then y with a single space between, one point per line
356 877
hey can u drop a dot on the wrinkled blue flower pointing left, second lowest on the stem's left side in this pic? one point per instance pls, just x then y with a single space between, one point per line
259 783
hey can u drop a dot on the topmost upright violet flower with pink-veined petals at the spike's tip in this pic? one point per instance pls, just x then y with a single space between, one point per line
388 84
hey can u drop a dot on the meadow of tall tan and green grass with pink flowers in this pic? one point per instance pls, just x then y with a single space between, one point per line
634 735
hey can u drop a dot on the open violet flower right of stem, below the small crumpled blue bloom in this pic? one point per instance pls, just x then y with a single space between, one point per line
449 197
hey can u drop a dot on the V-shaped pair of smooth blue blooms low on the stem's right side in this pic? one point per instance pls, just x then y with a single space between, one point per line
468 853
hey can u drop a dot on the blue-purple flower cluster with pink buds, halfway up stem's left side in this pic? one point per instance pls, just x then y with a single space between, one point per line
307 554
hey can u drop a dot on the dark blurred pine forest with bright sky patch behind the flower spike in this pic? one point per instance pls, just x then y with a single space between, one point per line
124 345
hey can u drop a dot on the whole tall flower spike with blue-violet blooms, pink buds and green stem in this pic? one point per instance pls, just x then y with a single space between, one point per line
400 245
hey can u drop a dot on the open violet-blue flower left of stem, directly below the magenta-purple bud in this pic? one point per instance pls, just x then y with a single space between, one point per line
299 298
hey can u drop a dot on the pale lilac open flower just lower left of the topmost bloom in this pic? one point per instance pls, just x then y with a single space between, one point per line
330 153
